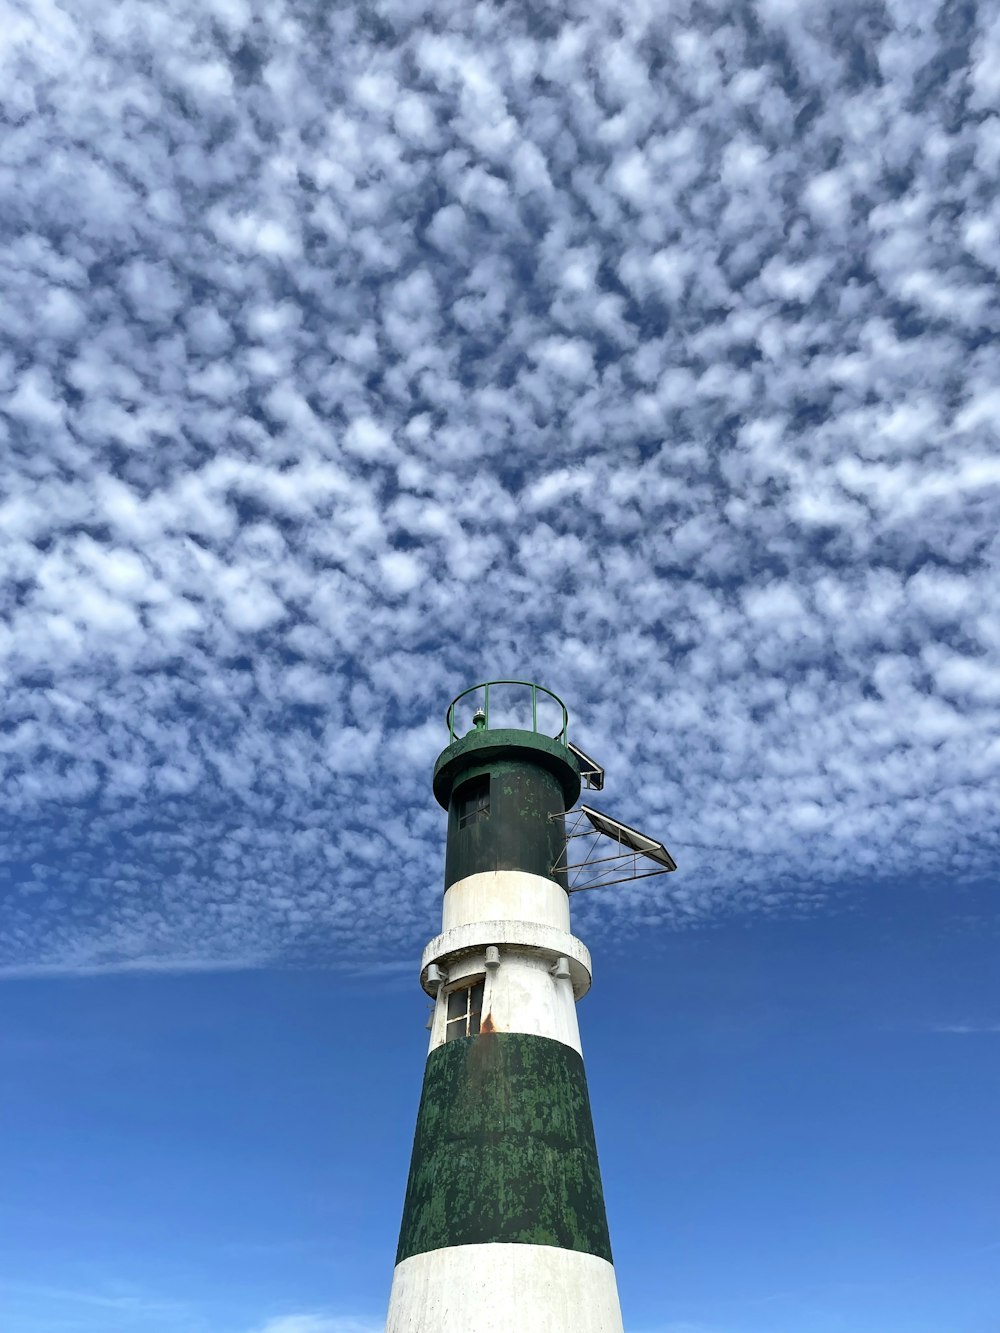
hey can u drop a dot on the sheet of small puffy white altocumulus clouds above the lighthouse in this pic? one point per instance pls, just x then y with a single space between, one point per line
357 353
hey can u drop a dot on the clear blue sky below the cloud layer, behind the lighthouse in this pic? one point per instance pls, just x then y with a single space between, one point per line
797 1124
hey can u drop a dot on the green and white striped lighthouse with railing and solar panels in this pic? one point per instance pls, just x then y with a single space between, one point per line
503 1224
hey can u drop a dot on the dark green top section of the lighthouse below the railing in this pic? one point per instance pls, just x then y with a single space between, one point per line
533 782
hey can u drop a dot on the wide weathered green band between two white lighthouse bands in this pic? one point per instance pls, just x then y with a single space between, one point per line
505 1150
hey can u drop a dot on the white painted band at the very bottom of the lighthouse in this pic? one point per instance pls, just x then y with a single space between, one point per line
505 1290
